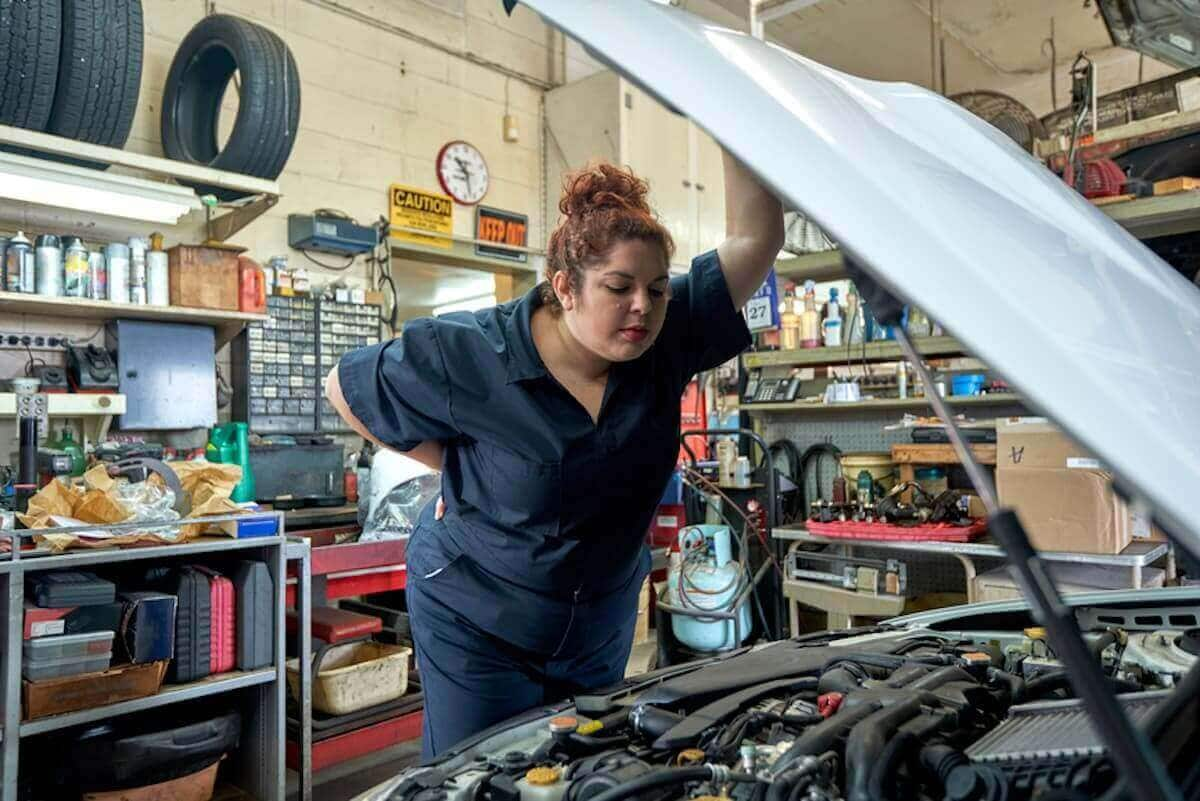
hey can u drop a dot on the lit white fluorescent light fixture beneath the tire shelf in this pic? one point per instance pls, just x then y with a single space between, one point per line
67 186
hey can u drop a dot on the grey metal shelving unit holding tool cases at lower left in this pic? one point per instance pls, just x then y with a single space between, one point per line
260 761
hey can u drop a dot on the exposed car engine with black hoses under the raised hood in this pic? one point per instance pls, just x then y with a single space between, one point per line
868 718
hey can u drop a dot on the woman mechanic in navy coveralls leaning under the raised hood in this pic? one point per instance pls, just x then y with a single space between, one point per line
555 423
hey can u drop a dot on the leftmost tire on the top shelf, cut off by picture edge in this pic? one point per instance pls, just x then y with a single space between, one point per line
29 62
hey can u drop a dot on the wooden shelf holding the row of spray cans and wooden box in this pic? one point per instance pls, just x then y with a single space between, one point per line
227 324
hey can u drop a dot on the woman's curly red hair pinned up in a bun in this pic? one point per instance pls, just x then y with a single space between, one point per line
602 206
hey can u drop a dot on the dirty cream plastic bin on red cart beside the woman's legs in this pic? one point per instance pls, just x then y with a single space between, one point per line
355 677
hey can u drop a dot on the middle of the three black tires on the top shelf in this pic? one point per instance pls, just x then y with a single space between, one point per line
100 74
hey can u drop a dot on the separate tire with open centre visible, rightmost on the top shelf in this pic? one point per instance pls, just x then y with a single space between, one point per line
269 105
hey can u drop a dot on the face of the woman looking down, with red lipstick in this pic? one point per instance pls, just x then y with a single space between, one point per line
620 309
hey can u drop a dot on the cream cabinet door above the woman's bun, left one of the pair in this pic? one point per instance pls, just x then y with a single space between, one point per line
655 142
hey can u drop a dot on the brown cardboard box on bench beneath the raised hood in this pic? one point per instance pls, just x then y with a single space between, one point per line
1061 492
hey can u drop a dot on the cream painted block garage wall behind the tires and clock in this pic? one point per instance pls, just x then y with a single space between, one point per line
386 83
